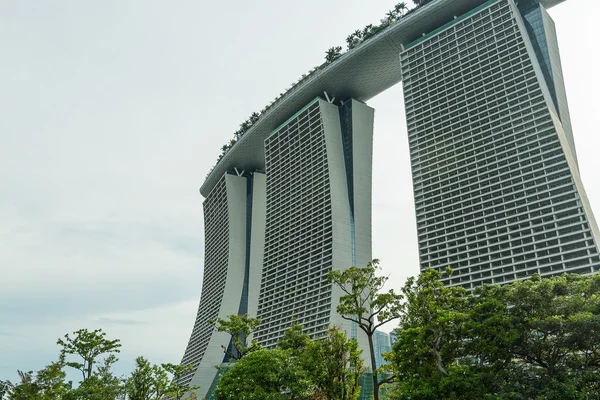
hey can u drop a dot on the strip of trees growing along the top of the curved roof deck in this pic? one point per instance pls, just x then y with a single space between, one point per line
353 41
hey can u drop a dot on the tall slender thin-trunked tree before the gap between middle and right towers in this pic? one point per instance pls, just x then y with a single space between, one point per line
364 303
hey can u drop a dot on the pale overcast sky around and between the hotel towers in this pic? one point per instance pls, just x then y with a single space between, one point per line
111 114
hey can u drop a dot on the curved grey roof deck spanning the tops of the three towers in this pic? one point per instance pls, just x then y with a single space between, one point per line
361 73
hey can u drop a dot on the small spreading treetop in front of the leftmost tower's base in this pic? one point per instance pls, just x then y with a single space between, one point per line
239 327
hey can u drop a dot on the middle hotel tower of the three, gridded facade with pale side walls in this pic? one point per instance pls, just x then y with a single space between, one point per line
316 222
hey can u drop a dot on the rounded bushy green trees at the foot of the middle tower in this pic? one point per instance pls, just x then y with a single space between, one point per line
300 368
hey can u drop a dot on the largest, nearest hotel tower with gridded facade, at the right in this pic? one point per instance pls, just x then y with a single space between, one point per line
498 195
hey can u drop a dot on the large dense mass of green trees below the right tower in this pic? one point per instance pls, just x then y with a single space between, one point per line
533 339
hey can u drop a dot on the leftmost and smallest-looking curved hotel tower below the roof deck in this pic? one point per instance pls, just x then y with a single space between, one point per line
234 215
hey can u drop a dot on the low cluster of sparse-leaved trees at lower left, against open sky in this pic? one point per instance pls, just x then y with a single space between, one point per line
147 382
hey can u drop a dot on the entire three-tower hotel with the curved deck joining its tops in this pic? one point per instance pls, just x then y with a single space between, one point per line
498 195
